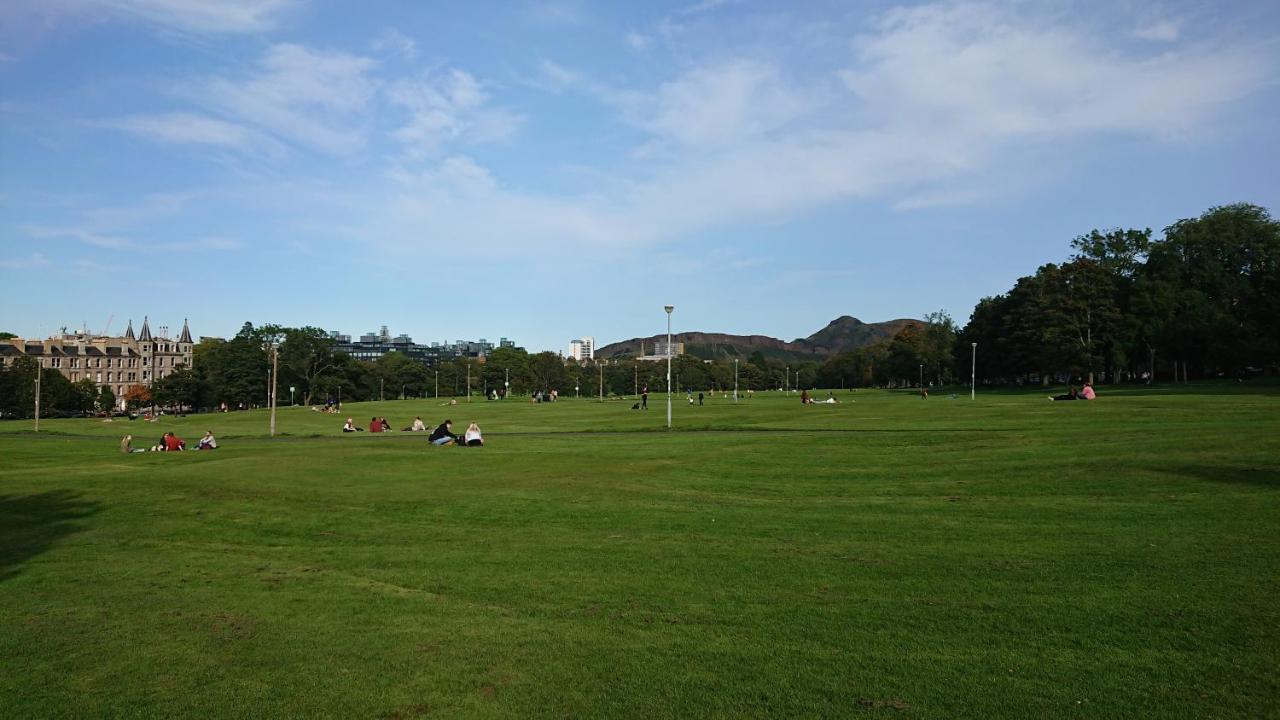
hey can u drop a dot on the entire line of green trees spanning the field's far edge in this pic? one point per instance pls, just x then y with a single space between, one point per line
1201 302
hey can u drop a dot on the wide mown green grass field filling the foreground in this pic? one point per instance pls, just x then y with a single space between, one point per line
883 558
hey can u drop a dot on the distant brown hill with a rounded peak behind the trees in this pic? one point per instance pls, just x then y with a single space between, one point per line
840 335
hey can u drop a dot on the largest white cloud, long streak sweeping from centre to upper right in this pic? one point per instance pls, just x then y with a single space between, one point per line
934 101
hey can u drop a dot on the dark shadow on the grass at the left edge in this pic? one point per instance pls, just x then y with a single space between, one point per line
30 525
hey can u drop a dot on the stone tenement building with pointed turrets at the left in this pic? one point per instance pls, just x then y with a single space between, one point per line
112 362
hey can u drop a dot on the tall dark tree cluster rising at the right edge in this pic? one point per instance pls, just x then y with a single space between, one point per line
1203 302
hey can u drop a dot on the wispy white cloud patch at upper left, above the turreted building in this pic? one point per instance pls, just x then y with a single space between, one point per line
308 98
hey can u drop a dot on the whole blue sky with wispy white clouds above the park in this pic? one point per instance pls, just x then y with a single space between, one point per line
546 171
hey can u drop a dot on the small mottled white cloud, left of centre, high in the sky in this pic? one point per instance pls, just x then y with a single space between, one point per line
447 107
